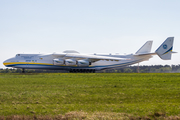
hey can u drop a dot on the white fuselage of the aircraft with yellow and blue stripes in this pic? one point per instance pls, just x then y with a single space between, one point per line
39 61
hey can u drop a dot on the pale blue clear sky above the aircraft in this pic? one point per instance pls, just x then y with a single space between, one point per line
88 26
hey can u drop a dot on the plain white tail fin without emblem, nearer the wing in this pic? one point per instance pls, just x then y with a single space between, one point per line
146 48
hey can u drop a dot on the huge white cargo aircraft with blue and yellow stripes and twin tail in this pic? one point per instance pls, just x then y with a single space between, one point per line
75 62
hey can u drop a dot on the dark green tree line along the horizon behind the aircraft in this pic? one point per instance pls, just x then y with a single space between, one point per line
129 69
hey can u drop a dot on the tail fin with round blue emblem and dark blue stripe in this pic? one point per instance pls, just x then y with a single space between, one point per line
165 49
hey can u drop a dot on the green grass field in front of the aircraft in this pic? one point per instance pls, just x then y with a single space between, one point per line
95 94
